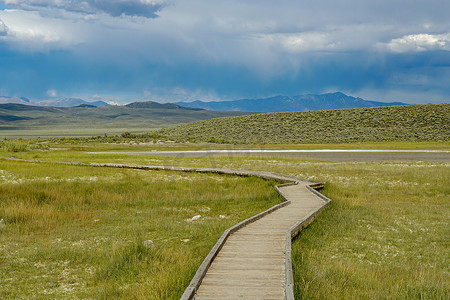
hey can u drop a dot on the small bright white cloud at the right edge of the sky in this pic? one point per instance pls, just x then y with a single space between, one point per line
419 43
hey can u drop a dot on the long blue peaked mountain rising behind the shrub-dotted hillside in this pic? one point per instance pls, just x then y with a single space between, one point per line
285 103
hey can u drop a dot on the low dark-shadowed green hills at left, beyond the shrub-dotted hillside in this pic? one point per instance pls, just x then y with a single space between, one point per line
17 120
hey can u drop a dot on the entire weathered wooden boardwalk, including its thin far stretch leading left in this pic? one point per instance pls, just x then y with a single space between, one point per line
252 259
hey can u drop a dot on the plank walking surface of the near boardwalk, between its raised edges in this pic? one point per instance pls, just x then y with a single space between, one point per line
251 264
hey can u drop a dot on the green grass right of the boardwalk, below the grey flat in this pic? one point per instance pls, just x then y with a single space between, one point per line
385 236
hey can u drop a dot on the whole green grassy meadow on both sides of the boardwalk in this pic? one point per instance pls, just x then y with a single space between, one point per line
385 235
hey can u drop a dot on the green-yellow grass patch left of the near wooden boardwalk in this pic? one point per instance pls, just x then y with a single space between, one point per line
78 232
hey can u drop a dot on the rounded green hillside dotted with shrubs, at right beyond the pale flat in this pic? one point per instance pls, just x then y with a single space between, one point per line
412 123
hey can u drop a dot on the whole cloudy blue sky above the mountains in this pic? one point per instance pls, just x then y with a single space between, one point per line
168 50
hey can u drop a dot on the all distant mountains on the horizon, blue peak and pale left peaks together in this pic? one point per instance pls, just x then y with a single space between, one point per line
271 104
